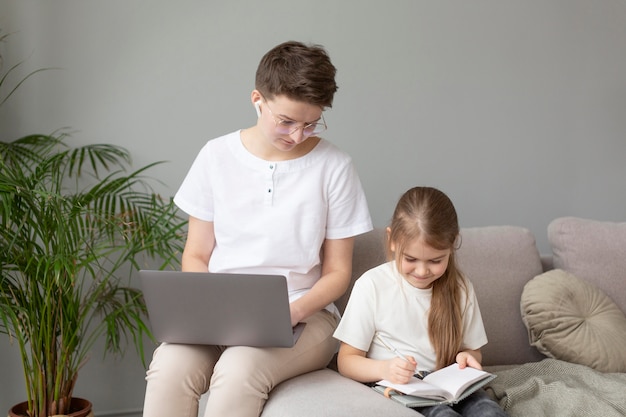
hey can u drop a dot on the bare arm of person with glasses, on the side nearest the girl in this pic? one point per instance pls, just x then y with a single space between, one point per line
336 274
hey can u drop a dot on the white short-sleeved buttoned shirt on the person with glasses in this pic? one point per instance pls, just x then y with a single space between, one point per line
272 217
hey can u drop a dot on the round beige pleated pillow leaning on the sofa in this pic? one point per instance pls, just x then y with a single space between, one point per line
570 319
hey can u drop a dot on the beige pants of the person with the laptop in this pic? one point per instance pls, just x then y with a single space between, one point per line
239 378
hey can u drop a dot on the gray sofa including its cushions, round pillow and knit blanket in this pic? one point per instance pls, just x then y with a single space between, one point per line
557 346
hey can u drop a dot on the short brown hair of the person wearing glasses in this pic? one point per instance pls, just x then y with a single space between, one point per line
298 71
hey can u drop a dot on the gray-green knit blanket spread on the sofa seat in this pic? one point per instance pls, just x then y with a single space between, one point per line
556 388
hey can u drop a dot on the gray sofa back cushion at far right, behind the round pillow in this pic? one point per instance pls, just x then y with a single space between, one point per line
592 250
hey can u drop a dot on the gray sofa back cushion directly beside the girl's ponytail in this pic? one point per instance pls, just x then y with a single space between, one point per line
499 261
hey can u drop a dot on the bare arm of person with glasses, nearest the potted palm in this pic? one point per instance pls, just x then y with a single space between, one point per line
199 245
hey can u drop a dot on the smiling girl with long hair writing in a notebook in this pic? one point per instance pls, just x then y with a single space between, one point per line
419 303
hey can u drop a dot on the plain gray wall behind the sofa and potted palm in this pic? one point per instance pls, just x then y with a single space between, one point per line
517 109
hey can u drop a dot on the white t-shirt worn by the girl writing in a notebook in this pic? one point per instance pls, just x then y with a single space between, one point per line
382 301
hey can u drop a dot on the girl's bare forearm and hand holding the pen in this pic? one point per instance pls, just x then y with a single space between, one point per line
353 364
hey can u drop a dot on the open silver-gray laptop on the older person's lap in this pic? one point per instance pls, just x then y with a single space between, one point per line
219 309
